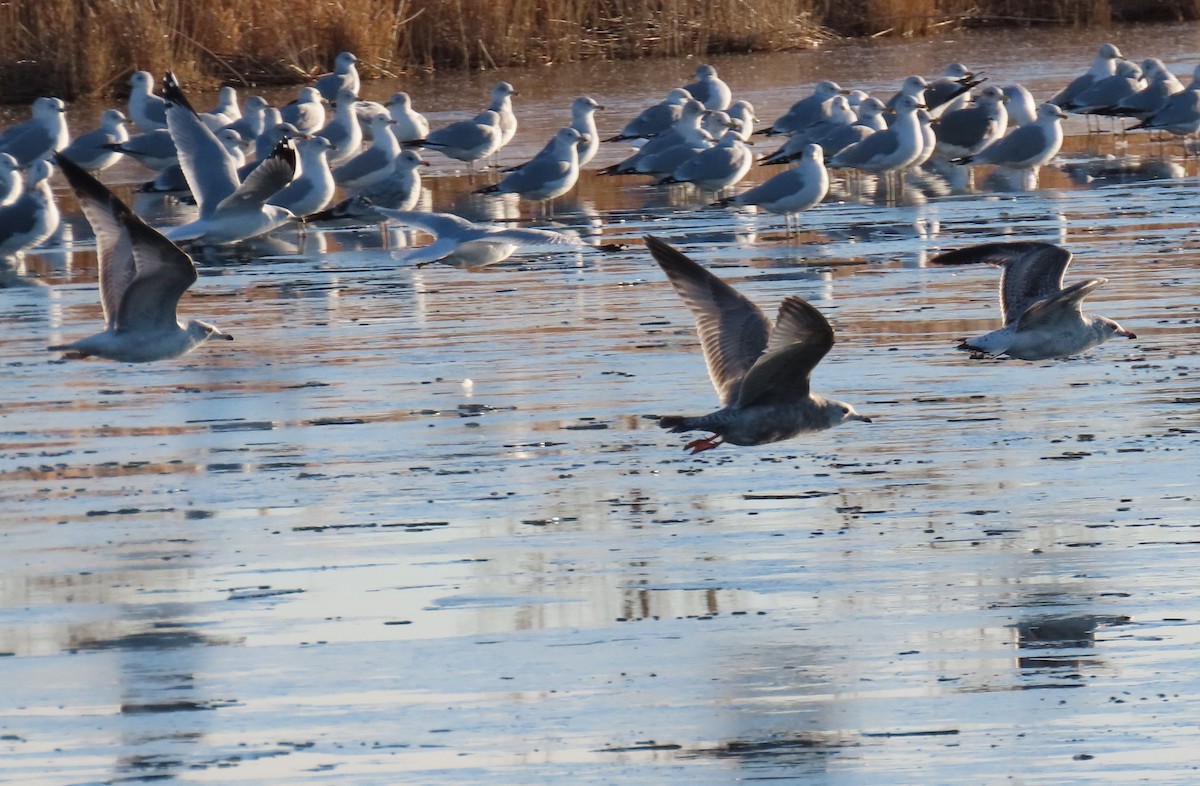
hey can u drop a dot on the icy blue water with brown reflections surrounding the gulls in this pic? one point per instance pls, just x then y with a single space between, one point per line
415 527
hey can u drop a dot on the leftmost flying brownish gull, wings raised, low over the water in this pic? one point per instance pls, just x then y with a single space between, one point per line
142 278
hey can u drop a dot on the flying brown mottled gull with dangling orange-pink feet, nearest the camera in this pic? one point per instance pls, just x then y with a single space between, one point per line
761 371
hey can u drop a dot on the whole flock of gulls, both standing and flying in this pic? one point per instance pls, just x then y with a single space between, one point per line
255 169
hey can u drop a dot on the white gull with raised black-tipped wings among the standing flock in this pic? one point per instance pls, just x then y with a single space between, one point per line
231 209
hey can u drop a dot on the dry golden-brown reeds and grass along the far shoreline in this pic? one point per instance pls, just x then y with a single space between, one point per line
76 49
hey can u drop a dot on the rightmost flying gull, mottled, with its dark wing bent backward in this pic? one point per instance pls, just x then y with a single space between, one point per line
1042 320
